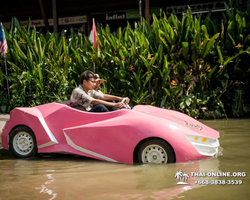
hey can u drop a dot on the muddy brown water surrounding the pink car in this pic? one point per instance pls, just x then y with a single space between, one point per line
64 177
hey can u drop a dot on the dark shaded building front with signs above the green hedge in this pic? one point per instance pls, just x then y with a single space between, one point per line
62 14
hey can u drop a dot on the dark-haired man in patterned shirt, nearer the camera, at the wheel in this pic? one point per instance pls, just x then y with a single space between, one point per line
86 98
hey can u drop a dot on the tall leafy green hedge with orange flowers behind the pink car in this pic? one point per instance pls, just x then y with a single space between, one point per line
196 66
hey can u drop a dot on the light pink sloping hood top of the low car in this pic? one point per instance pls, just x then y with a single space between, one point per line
178 118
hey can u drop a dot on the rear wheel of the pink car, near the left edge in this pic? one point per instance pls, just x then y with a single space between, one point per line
22 142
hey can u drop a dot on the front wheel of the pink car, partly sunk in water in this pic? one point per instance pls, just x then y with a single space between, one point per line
155 151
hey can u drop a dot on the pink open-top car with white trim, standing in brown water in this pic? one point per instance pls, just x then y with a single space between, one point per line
144 134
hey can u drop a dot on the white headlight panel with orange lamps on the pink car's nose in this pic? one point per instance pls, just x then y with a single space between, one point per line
204 145
